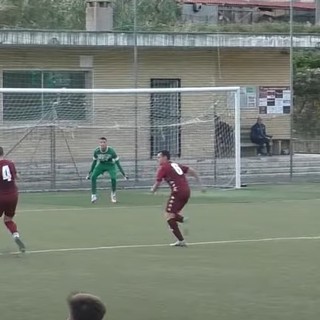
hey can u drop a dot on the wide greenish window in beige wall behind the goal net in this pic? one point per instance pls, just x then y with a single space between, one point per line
37 106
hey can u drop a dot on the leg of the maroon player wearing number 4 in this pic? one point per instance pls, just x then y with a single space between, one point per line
9 213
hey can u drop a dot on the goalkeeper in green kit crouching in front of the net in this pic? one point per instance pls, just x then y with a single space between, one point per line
105 159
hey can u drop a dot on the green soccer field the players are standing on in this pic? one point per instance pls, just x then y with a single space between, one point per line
253 254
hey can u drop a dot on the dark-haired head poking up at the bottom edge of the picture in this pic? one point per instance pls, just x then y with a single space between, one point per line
84 306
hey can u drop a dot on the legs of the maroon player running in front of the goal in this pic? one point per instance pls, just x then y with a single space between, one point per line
173 209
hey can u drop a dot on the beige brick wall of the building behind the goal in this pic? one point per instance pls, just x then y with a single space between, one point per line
114 116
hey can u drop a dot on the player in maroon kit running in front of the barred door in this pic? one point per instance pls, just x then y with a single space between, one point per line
175 175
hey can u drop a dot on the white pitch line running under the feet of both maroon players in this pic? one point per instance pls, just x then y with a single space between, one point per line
137 246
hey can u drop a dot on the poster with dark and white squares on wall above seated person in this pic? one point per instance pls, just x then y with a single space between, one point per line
274 100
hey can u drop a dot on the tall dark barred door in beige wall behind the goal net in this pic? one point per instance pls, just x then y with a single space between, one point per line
165 116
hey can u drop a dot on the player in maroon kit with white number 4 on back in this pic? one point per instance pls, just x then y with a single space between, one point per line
9 197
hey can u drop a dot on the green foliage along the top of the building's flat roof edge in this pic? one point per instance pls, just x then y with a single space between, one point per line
152 15
